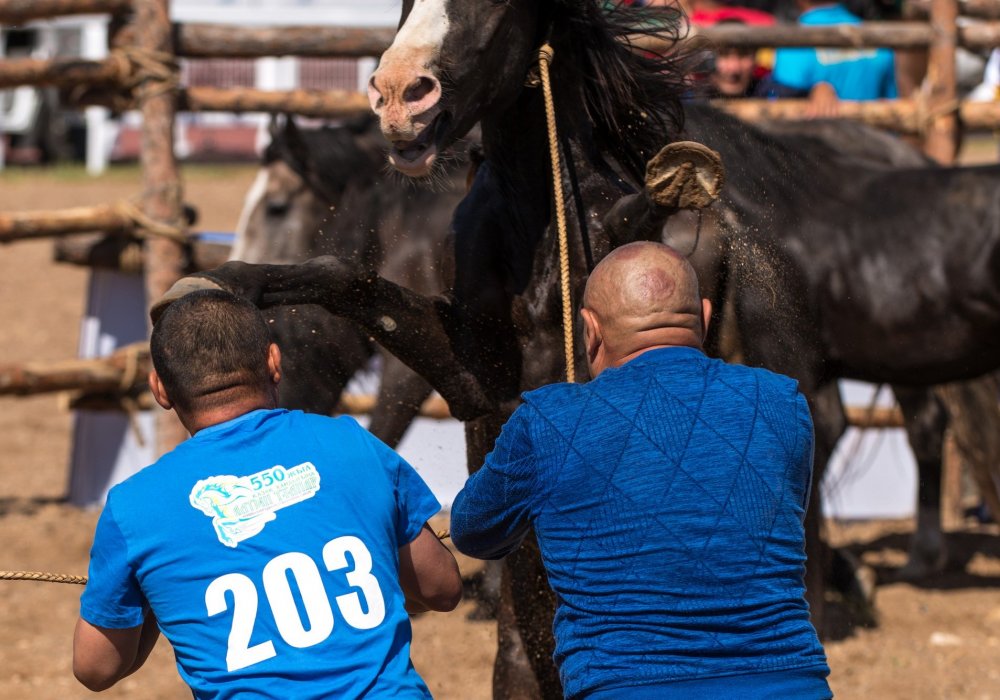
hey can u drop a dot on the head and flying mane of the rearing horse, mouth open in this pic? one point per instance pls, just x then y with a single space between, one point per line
456 62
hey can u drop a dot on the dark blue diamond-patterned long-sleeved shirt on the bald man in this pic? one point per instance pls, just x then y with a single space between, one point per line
668 498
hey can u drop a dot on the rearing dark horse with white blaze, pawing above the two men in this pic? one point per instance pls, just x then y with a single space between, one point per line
454 63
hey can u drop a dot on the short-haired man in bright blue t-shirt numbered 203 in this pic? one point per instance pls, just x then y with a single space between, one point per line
277 551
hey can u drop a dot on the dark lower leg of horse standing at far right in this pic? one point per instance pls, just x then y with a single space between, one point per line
925 419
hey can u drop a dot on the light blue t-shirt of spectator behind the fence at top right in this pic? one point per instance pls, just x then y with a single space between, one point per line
856 74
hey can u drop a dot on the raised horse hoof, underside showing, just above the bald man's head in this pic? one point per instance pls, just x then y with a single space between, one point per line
684 175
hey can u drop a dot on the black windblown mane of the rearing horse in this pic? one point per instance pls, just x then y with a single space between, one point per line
628 101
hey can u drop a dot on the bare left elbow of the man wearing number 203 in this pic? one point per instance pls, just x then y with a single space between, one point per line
103 656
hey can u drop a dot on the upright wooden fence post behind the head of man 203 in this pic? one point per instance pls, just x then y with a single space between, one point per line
166 259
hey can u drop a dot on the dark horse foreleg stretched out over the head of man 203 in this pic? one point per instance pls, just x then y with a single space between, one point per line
414 328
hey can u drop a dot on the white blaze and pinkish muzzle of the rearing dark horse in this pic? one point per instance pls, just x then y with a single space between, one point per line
405 89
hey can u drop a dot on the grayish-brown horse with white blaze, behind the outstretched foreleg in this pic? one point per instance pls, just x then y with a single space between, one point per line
327 191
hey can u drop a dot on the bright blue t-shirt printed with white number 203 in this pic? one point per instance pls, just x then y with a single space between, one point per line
267 547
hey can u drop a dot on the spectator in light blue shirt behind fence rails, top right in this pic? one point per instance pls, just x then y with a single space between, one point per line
827 75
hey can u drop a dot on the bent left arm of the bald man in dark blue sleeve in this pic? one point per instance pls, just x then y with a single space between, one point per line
491 515
